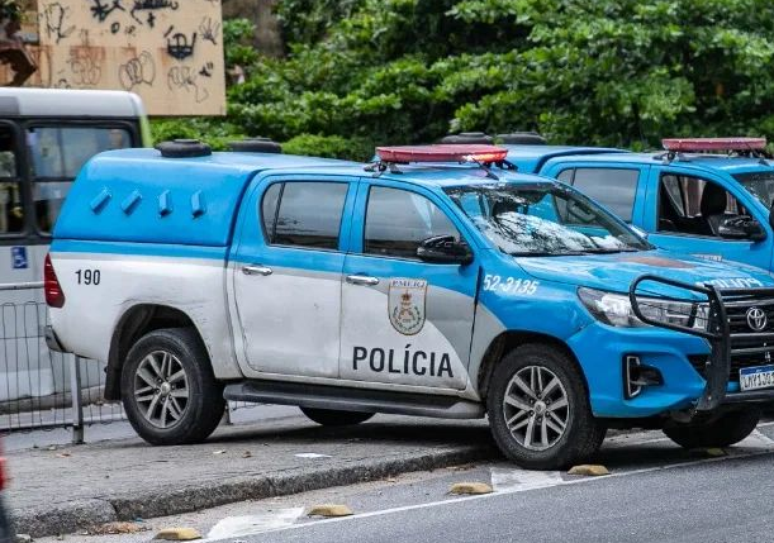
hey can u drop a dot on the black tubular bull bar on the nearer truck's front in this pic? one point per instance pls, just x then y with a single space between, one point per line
726 343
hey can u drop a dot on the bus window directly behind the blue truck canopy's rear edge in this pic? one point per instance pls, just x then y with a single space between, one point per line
57 155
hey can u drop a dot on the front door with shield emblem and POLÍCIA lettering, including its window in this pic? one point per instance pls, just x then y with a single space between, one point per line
405 322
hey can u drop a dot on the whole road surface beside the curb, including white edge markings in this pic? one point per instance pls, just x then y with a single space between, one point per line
656 492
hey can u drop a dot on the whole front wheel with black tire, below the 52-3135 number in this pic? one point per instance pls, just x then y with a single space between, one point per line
579 438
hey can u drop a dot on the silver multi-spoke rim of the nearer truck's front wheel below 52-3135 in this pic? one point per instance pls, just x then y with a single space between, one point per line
536 408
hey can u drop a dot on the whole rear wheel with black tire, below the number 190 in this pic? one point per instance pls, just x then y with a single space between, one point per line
162 356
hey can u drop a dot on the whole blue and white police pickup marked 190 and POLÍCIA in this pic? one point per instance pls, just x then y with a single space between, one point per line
435 282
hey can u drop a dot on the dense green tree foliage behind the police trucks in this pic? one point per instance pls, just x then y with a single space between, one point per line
607 72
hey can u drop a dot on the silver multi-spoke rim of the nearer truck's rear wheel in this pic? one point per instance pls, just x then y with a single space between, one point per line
161 389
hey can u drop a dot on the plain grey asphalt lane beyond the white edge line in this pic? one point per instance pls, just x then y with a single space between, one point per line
702 503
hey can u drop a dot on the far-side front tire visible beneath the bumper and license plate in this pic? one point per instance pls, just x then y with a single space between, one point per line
724 431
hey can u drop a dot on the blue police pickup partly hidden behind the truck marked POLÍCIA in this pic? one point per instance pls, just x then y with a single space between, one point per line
706 197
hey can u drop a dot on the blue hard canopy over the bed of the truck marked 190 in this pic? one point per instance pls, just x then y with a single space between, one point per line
138 196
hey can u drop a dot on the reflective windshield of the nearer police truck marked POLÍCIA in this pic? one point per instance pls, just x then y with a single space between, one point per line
543 219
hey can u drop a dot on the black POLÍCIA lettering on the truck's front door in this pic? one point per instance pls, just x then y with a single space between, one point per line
406 362
